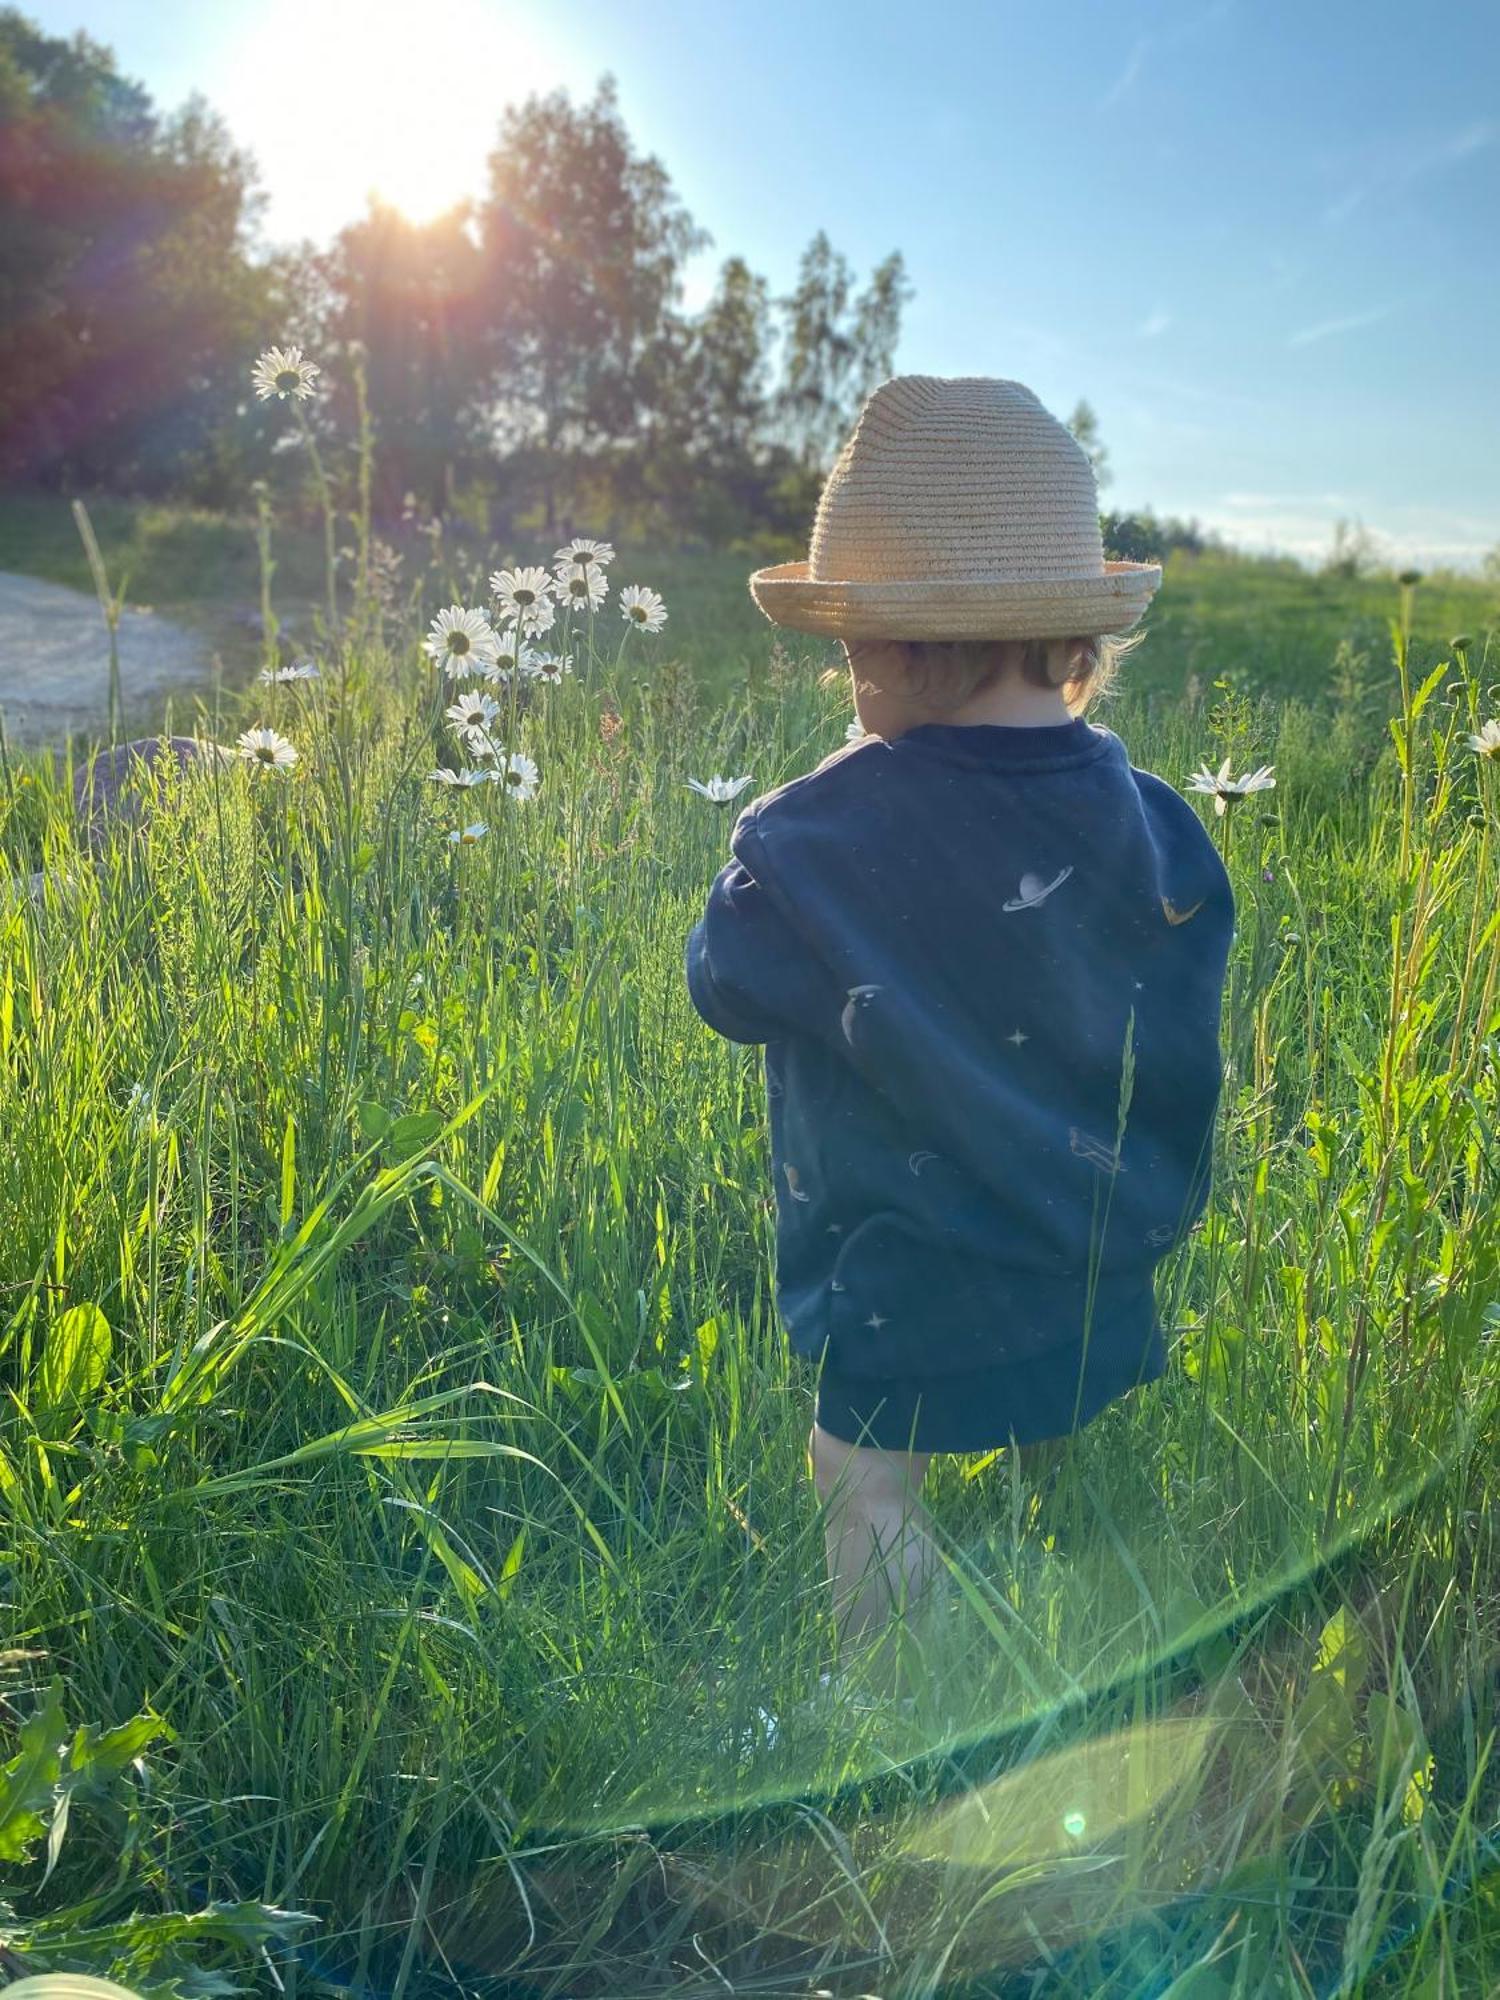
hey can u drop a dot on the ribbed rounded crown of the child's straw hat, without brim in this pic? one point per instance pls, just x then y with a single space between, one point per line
959 479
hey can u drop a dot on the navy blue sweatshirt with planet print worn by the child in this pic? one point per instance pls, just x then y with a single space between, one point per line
961 949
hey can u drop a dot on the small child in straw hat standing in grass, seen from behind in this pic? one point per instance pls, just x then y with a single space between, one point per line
985 957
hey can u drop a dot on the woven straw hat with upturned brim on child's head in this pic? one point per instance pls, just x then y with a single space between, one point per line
959 509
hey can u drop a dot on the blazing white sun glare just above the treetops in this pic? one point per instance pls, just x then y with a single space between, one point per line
393 101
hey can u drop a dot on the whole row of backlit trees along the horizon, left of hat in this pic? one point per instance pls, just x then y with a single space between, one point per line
527 351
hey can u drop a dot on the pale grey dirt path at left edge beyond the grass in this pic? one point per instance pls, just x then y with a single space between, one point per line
55 661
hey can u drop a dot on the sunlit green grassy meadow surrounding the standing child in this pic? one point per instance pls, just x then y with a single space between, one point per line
413 1579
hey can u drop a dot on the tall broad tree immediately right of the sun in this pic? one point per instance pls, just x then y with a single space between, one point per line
583 245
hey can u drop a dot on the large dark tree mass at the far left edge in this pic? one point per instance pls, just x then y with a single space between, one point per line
129 301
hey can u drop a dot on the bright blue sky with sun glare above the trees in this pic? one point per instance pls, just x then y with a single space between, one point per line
1261 239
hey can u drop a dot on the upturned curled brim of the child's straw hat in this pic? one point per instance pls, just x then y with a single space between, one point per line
969 609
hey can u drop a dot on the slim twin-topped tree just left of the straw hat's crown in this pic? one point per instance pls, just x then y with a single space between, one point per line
835 349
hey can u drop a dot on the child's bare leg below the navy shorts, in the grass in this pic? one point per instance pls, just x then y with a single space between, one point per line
881 1561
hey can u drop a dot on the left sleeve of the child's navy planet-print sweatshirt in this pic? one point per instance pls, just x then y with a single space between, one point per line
749 973
